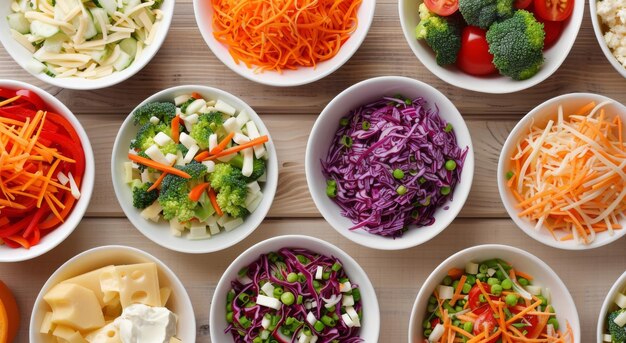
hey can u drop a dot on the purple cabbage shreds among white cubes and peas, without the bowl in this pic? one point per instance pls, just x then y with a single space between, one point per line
286 261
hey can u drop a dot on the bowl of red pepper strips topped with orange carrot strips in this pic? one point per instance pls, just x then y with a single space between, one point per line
46 171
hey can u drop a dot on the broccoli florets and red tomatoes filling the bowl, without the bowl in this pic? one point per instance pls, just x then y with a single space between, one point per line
483 37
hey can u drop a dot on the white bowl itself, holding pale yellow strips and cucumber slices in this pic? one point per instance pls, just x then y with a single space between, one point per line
23 57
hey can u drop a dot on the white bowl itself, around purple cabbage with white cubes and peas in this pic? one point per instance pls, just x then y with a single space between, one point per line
370 325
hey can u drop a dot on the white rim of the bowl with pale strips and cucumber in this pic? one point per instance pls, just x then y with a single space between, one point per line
104 82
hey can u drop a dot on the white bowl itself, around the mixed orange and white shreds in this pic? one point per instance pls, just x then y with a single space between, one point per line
539 116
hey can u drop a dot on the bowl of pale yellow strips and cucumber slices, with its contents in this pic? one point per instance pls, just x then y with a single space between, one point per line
84 45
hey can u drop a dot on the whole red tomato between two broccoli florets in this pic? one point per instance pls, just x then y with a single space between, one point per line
474 57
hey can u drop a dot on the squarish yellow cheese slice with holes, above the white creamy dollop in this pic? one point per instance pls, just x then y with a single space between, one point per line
139 284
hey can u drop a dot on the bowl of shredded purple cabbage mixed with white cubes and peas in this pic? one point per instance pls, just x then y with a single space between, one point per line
294 289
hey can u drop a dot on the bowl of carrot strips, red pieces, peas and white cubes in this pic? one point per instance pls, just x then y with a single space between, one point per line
487 292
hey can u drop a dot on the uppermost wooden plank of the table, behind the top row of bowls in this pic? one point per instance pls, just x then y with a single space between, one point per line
185 59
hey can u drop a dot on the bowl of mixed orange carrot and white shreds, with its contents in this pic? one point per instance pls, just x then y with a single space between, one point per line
561 173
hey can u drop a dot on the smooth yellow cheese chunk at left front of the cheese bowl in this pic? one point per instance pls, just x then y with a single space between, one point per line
74 306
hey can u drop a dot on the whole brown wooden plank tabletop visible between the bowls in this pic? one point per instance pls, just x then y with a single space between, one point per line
289 114
